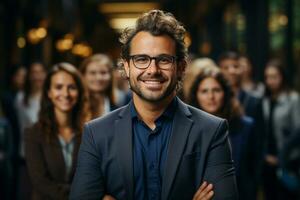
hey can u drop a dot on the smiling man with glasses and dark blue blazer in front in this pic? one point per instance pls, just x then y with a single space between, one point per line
156 147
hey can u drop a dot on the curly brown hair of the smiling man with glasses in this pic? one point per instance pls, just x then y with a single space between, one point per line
156 22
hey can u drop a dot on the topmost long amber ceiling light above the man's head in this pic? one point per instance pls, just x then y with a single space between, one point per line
133 7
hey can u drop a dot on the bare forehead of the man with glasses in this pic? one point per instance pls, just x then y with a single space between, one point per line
146 43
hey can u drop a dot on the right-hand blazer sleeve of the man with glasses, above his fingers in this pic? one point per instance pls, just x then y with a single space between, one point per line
219 166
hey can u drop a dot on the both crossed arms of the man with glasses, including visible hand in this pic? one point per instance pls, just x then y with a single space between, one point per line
219 171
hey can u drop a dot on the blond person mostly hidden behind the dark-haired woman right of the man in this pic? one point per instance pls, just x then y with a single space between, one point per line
192 71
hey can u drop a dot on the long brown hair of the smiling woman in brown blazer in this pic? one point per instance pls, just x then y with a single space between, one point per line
47 121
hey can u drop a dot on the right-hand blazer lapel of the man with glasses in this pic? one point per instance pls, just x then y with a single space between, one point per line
181 130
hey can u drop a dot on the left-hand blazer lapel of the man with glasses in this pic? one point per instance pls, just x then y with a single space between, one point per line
123 134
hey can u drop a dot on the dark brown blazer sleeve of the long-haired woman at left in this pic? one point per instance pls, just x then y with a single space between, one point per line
37 169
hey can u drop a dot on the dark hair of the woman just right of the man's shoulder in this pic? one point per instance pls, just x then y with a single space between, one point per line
231 108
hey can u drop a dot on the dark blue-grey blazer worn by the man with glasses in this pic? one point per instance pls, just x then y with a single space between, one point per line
198 150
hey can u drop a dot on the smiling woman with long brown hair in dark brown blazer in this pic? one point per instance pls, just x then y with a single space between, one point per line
52 144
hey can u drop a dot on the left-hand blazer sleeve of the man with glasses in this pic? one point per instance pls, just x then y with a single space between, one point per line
88 182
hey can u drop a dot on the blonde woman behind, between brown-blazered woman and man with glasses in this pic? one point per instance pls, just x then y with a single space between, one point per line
97 72
